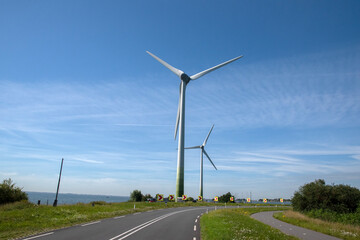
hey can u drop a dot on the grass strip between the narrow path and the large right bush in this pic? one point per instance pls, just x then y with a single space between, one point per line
343 231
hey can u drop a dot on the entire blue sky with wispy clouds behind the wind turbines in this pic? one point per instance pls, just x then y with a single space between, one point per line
76 83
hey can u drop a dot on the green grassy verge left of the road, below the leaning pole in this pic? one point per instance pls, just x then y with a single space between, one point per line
24 219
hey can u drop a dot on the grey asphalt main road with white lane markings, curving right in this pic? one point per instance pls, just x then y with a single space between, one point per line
173 223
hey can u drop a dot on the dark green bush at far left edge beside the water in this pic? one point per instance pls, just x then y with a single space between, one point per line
9 193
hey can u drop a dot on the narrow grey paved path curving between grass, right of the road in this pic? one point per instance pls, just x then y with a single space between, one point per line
299 232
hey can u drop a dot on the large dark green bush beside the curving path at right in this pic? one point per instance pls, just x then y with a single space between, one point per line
334 198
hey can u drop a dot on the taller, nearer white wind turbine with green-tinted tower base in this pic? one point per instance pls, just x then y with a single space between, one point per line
180 119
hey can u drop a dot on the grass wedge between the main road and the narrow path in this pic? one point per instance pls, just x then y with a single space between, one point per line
237 224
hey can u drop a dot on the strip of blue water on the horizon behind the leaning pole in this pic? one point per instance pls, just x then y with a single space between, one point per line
70 198
